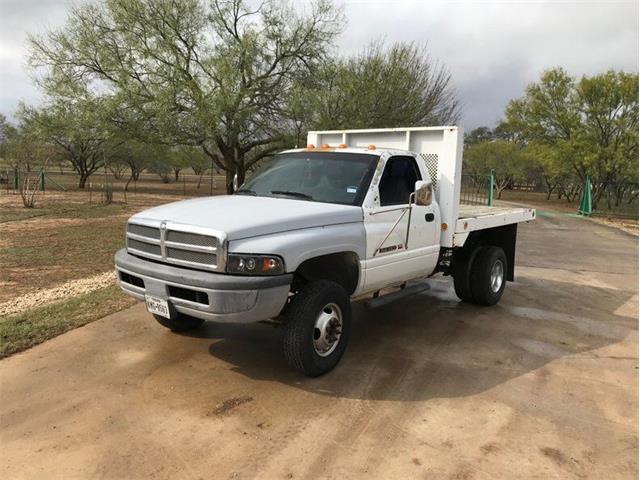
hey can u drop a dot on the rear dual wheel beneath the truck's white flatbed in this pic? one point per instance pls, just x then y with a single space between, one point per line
480 275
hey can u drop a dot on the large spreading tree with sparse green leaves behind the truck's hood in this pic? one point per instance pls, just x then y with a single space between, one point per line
210 74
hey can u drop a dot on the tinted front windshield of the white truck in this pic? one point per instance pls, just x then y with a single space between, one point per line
328 177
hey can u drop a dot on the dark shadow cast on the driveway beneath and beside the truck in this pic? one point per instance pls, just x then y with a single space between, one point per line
431 345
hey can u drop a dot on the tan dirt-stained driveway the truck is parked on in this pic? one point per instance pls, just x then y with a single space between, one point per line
545 385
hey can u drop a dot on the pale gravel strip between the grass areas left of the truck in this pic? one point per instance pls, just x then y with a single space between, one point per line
50 295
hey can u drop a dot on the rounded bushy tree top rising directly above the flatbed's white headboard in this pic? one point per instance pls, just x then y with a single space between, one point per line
381 87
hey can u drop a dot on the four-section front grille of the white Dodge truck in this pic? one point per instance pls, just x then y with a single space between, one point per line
197 249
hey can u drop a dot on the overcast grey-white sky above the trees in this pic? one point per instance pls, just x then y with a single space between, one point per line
493 49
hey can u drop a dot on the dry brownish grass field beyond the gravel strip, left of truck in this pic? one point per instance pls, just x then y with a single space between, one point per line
57 243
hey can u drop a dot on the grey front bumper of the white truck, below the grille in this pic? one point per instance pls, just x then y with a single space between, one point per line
205 295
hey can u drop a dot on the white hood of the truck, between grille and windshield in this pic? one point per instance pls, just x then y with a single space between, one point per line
242 216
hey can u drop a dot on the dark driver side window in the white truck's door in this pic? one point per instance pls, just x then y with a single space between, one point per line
398 181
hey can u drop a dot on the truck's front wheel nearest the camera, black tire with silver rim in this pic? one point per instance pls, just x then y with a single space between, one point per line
316 332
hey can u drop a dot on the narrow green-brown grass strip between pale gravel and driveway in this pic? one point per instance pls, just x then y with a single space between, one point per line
21 331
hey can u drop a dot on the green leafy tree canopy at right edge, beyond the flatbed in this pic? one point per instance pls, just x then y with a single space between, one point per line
591 124
